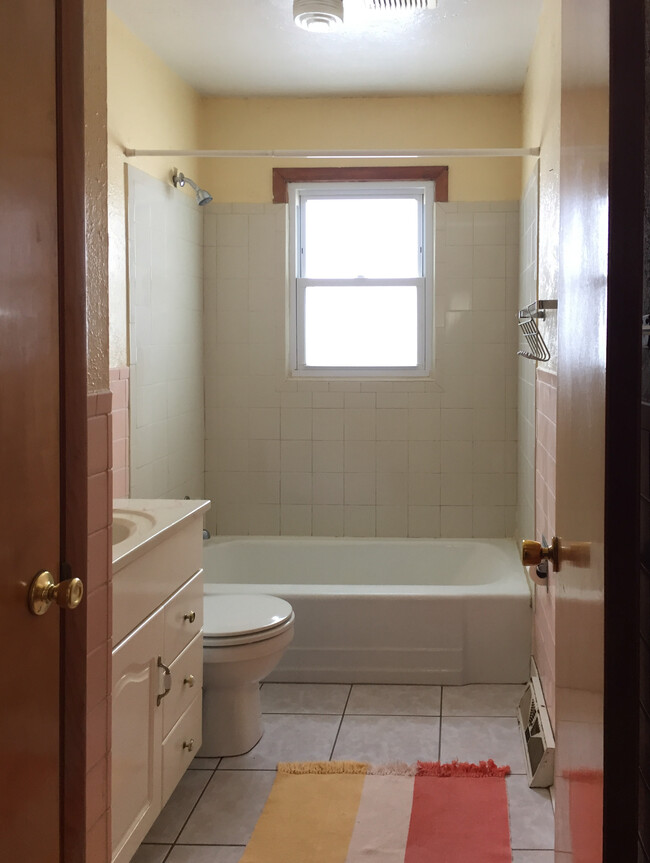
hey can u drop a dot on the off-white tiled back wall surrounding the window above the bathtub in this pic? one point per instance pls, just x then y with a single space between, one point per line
362 458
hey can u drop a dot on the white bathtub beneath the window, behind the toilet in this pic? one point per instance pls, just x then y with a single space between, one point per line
439 611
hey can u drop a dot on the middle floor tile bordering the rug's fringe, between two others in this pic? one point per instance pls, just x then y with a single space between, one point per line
382 739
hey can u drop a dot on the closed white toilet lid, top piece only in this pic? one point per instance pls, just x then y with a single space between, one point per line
229 614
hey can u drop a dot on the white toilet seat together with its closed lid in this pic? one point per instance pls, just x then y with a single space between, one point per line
233 618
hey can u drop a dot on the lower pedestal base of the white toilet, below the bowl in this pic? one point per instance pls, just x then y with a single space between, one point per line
232 719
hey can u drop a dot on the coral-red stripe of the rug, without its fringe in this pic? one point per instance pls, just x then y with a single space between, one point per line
459 819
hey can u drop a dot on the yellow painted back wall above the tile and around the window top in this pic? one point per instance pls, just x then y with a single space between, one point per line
427 122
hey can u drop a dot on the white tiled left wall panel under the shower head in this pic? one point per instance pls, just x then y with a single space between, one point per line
166 340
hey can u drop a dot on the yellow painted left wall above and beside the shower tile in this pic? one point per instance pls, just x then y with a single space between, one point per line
148 107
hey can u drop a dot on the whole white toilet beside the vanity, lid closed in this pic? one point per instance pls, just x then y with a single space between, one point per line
244 638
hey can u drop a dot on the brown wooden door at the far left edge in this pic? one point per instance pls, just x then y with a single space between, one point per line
29 428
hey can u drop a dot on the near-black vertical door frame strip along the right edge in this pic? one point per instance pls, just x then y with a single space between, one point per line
627 165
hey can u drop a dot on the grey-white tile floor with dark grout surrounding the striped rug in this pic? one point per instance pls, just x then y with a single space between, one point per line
212 813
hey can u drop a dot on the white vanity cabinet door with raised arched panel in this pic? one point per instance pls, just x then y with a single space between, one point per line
137 735
